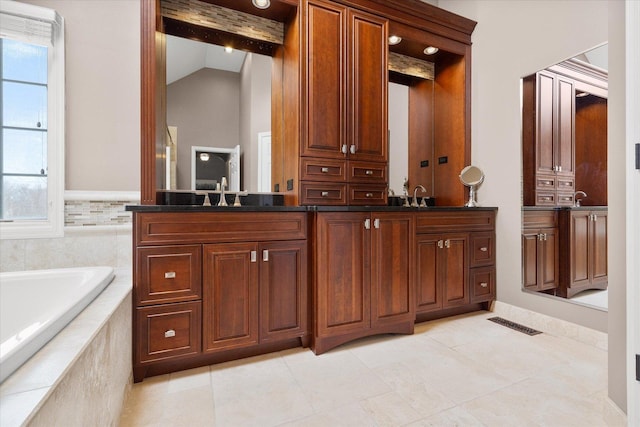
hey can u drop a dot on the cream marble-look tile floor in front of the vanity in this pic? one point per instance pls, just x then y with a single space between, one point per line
460 371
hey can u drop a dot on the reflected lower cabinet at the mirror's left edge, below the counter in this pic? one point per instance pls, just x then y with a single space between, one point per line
540 250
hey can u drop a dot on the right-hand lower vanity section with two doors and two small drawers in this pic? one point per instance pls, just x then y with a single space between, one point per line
455 254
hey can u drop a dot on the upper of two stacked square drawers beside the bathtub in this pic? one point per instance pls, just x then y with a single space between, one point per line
168 274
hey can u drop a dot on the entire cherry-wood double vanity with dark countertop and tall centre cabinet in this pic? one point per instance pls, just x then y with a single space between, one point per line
333 262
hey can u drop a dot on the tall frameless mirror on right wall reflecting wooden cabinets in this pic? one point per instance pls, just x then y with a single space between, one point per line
564 154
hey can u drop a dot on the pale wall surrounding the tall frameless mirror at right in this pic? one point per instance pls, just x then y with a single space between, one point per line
513 39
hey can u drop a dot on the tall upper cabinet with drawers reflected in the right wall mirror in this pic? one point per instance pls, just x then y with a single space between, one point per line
548 140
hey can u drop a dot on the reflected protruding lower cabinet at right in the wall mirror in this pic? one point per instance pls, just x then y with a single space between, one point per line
584 241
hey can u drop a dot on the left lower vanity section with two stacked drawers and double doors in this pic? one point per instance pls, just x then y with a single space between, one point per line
215 286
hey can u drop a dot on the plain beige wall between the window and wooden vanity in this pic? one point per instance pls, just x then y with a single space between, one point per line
102 93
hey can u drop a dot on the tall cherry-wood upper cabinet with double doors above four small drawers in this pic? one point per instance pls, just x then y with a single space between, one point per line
344 145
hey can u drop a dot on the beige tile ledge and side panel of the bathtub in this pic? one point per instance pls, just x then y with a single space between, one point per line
91 358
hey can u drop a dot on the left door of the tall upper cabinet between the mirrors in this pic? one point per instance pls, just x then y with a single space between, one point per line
326 80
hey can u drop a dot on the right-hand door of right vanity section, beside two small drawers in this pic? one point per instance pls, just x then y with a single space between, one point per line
456 267
